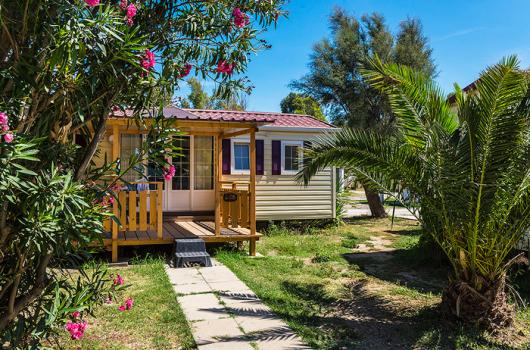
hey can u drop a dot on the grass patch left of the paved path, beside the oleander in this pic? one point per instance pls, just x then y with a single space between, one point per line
155 322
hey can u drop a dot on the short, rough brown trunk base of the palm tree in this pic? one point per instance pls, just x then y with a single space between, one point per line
486 307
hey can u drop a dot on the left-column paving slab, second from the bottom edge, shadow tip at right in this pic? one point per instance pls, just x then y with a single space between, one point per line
202 307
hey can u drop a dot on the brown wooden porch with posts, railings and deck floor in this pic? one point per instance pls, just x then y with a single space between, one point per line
139 210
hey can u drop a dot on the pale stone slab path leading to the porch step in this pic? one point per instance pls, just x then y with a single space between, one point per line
225 314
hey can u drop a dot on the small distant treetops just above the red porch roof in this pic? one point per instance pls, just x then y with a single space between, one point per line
200 99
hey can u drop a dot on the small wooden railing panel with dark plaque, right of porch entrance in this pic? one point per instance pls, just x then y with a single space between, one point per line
235 204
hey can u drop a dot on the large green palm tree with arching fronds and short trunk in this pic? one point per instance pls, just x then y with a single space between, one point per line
467 163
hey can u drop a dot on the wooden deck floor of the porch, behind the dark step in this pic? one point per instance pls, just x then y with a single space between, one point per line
181 229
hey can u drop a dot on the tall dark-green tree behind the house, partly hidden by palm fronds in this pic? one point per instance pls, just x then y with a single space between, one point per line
335 81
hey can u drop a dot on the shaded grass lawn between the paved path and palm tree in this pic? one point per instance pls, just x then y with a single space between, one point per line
335 298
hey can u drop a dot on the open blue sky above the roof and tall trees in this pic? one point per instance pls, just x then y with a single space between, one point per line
466 37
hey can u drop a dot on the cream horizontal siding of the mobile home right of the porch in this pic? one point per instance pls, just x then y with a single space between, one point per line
280 197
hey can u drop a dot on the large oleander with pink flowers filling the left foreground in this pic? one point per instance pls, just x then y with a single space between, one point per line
65 65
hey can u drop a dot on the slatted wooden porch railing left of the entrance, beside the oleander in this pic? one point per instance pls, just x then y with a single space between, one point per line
138 210
